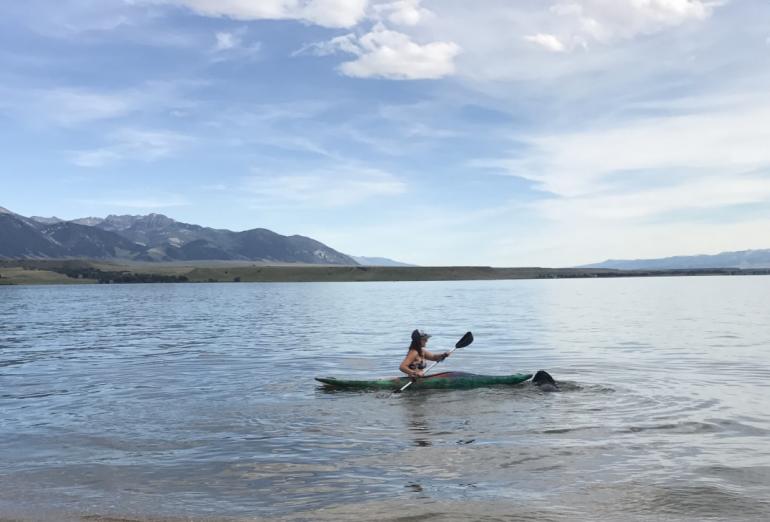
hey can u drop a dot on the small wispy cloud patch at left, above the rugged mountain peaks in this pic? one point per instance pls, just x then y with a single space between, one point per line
132 145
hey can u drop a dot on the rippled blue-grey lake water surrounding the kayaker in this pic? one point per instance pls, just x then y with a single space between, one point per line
198 401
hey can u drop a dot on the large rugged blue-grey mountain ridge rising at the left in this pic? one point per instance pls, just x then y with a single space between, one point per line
153 237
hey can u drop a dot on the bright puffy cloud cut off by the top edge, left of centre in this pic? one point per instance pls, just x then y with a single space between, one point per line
327 13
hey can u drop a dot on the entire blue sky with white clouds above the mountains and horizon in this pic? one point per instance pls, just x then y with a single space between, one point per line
446 132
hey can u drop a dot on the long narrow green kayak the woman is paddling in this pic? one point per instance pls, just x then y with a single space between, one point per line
446 380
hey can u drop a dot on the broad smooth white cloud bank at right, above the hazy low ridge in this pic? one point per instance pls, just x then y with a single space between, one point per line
658 169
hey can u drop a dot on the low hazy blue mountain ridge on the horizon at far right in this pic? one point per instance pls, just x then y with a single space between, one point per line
740 259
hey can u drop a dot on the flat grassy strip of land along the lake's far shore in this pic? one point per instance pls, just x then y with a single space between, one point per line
86 271
